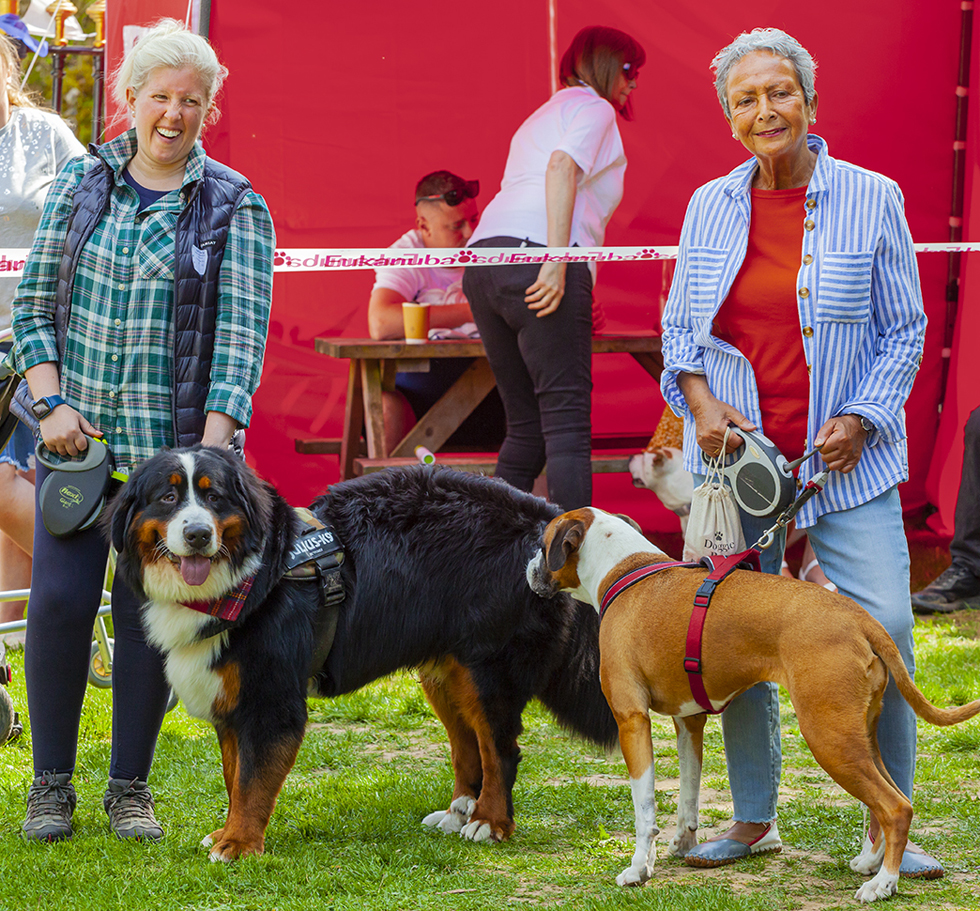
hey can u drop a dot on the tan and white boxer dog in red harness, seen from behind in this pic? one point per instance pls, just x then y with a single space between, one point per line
832 657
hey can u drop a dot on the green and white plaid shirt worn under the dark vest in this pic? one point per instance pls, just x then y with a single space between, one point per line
118 359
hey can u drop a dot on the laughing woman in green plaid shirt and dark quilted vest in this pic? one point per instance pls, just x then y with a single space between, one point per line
141 319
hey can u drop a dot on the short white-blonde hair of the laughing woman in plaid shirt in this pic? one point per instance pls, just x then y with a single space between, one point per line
170 43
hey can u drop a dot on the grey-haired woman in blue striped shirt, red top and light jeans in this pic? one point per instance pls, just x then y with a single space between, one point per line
796 308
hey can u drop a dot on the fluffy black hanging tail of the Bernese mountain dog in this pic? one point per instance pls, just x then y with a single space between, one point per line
572 692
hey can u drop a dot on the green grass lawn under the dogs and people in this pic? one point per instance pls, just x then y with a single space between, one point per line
346 833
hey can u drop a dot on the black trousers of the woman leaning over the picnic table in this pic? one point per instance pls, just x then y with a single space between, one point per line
543 369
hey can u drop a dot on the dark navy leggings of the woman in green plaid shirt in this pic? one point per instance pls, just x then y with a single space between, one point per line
65 588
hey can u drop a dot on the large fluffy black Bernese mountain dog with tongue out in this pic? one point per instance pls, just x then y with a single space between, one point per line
433 578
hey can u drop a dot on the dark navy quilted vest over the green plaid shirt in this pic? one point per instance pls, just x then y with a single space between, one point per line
199 246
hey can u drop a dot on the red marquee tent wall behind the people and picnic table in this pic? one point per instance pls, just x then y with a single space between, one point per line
334 111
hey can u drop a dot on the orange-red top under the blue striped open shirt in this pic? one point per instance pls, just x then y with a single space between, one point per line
761 319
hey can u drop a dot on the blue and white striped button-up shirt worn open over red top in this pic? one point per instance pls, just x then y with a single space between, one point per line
862 318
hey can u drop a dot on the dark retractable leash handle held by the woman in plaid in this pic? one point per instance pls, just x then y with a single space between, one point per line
74 494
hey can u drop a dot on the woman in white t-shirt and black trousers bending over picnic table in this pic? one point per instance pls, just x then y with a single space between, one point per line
563 181
